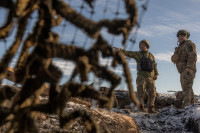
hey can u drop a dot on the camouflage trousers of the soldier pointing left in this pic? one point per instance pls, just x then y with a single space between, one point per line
146 84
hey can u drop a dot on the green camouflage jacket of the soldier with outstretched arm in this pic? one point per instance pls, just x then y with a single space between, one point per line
137 55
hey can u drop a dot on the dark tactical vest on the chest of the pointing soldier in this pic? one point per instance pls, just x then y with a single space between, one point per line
146 64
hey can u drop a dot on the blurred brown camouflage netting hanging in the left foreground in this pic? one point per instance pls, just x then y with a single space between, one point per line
34 66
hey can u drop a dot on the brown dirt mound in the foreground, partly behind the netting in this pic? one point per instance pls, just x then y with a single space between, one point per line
115 122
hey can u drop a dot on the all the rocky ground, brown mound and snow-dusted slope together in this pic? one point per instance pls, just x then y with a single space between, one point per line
125 120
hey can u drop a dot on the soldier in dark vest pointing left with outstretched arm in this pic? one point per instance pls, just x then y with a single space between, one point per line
146 74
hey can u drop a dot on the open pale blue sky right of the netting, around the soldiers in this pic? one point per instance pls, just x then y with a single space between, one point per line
160 25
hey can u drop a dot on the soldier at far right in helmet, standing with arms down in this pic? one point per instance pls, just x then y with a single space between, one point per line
185 57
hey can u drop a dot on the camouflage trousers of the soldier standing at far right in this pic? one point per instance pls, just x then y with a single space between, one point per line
187 79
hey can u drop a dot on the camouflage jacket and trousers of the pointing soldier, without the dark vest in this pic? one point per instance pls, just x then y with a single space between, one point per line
144 81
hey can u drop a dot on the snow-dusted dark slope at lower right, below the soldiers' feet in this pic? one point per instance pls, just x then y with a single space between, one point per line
168 119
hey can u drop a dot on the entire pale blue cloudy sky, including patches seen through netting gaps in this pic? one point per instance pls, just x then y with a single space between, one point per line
159 26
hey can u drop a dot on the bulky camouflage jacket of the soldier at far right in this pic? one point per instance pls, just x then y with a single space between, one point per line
185 56
